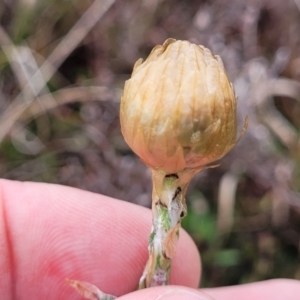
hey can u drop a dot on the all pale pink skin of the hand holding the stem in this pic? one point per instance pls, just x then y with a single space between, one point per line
50 232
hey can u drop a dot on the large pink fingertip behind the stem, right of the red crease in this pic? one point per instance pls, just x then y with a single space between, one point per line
84 236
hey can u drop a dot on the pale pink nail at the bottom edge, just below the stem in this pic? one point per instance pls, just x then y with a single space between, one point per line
183 294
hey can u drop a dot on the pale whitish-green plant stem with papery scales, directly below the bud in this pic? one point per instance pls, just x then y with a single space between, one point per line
168 208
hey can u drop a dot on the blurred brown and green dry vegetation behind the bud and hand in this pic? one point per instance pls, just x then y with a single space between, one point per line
63 64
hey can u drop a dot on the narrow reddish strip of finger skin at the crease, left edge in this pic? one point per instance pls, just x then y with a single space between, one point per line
7 251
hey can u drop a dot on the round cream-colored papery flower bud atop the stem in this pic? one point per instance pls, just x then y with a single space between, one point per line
178 110
